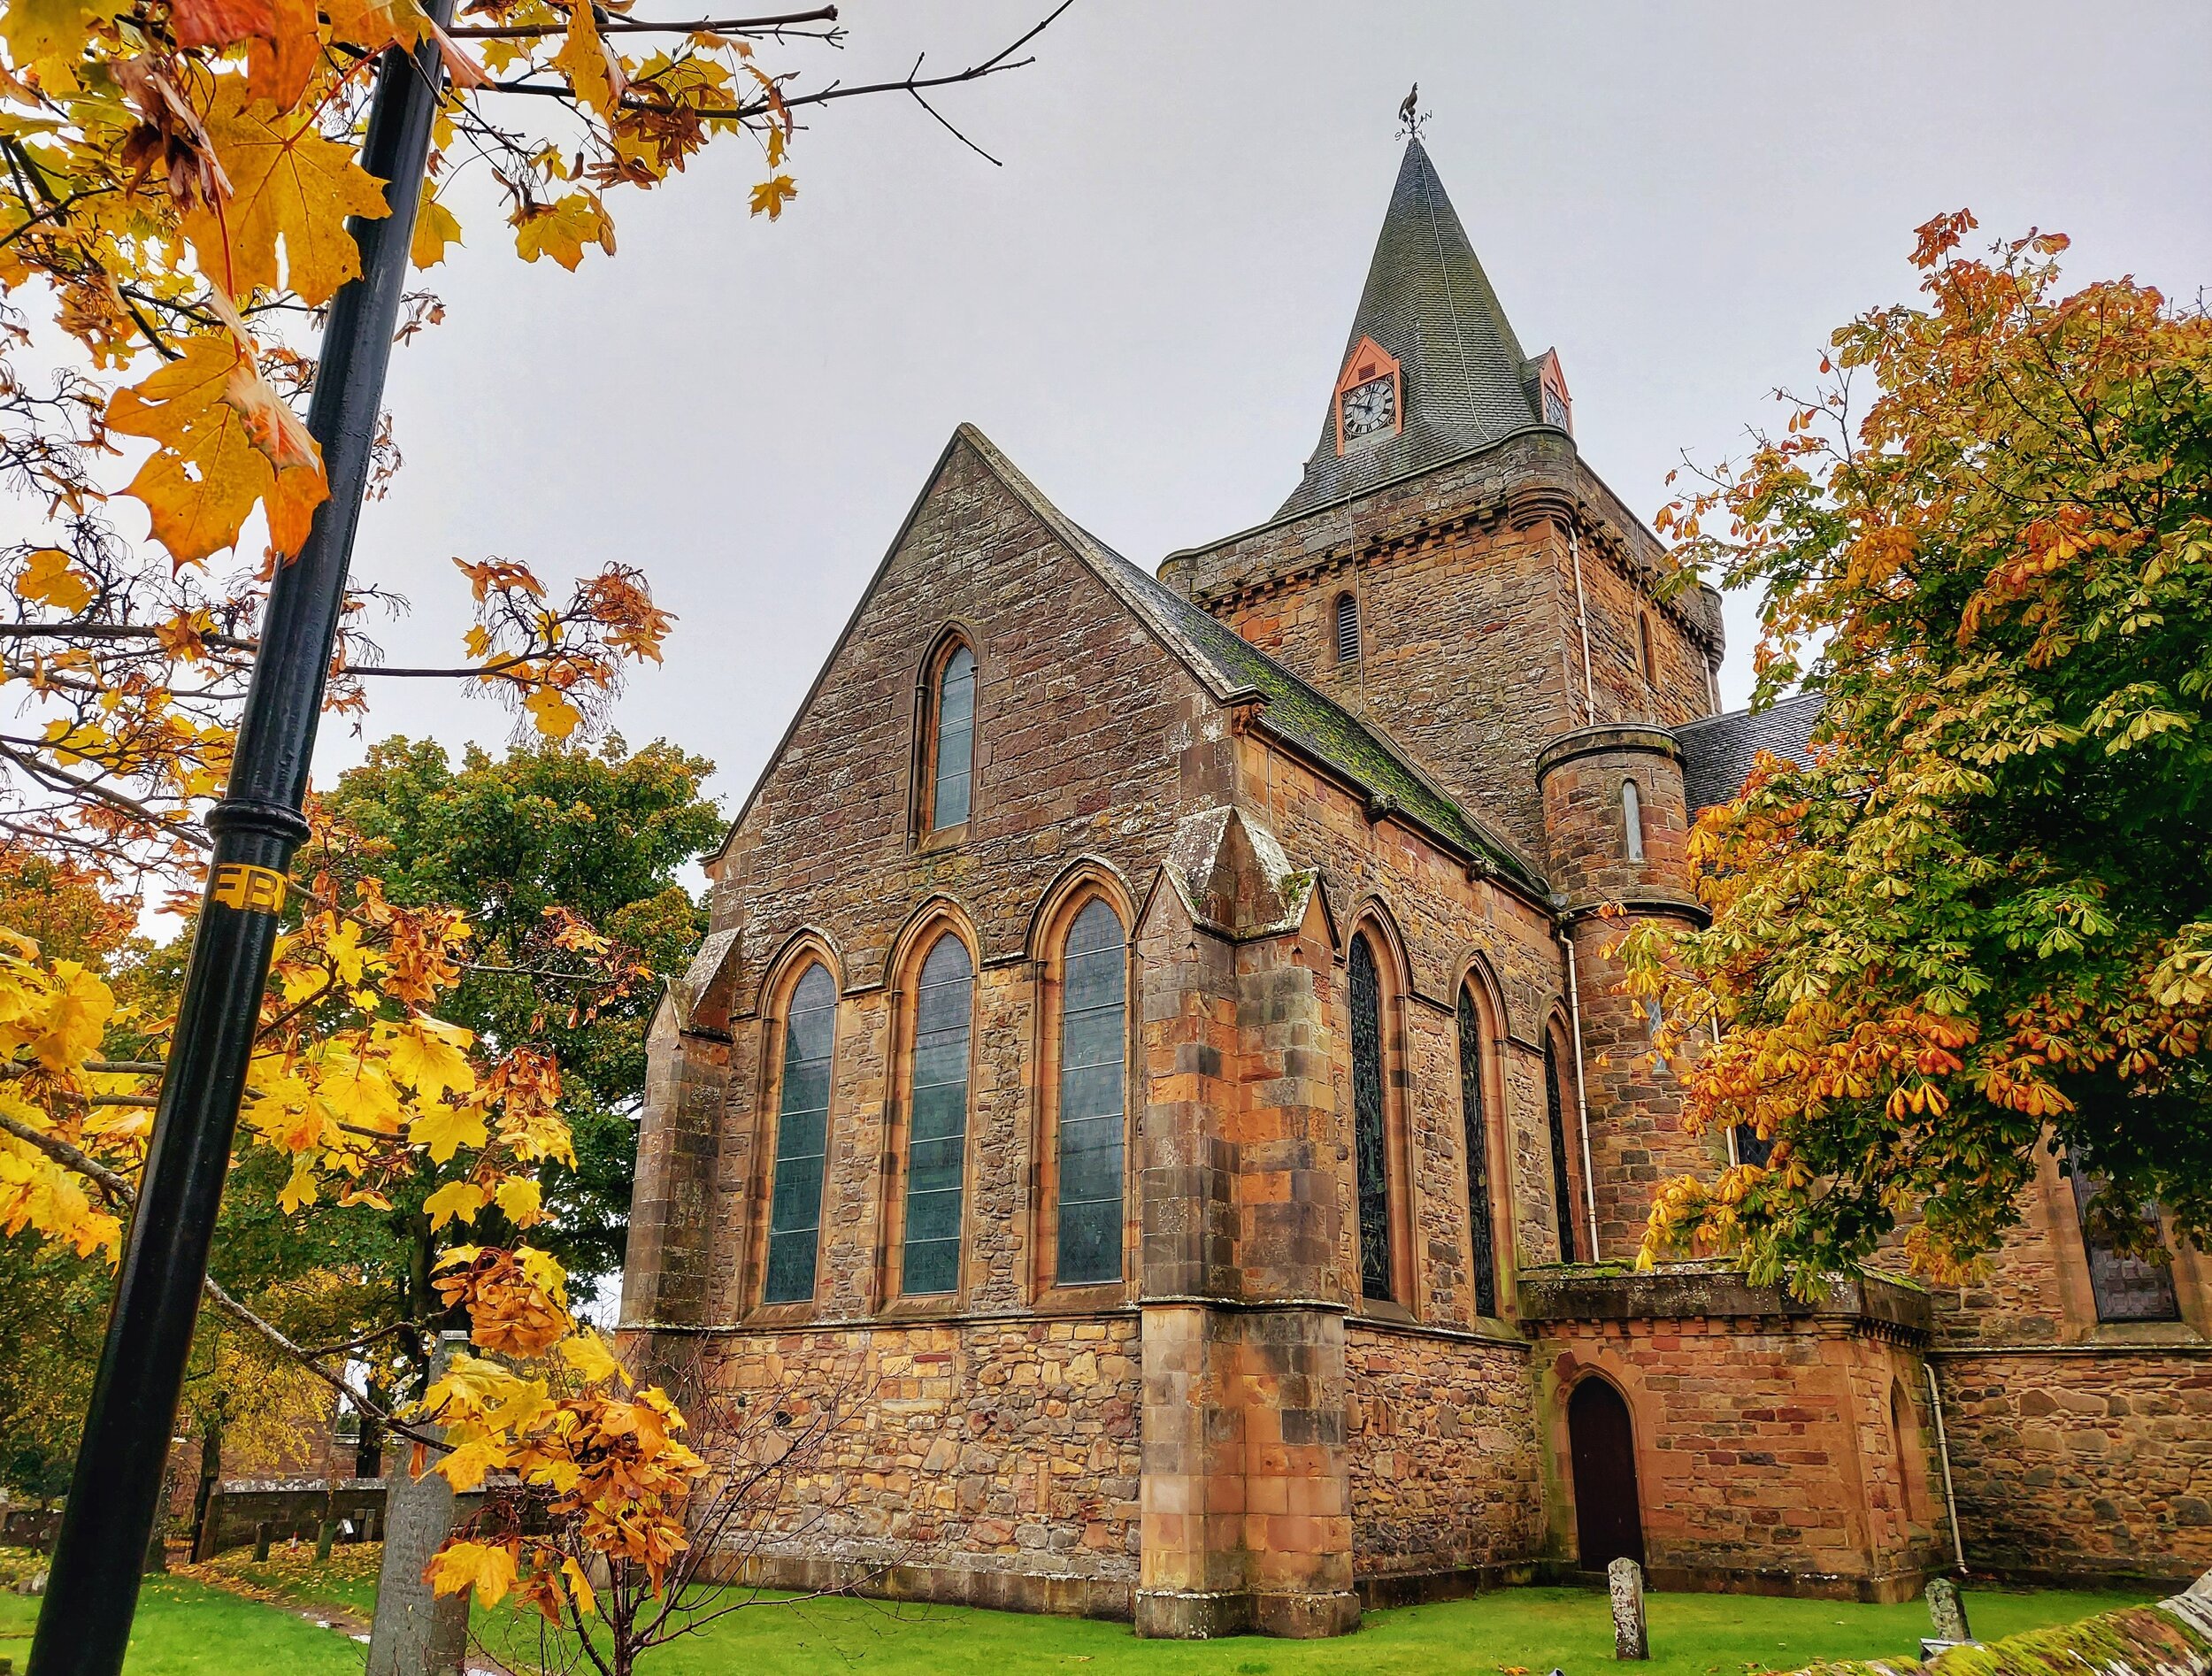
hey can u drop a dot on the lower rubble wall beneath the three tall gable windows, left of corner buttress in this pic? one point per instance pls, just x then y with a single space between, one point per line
992 1463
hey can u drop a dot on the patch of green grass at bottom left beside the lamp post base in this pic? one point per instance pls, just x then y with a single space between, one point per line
185 1628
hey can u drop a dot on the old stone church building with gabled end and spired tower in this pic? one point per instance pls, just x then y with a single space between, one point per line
1156 1062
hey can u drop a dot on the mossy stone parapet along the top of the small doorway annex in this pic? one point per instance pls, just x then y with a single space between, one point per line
1713 1292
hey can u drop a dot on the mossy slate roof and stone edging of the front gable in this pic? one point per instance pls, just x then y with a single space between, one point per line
1229 667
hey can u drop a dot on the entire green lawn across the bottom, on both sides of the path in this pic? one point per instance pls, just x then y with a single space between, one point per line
191 1631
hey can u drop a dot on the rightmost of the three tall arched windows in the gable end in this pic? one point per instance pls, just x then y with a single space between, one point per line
1094 1034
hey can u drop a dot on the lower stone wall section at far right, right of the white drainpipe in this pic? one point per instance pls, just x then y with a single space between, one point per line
2083 1467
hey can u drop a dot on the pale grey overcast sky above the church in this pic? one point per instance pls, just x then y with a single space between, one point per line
1147 302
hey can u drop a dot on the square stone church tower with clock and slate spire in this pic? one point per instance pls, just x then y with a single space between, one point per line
1448 565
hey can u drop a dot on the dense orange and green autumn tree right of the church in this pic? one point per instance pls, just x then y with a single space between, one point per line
1979 925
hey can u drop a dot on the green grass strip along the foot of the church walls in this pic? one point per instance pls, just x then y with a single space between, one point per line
1534 1631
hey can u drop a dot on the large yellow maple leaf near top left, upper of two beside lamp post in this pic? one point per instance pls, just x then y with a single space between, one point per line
289 185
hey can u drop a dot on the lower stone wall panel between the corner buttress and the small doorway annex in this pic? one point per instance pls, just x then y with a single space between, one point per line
1446 1469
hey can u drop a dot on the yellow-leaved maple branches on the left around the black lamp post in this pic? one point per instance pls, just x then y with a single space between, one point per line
176 185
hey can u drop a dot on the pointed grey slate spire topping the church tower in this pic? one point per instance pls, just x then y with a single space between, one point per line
1430 306
